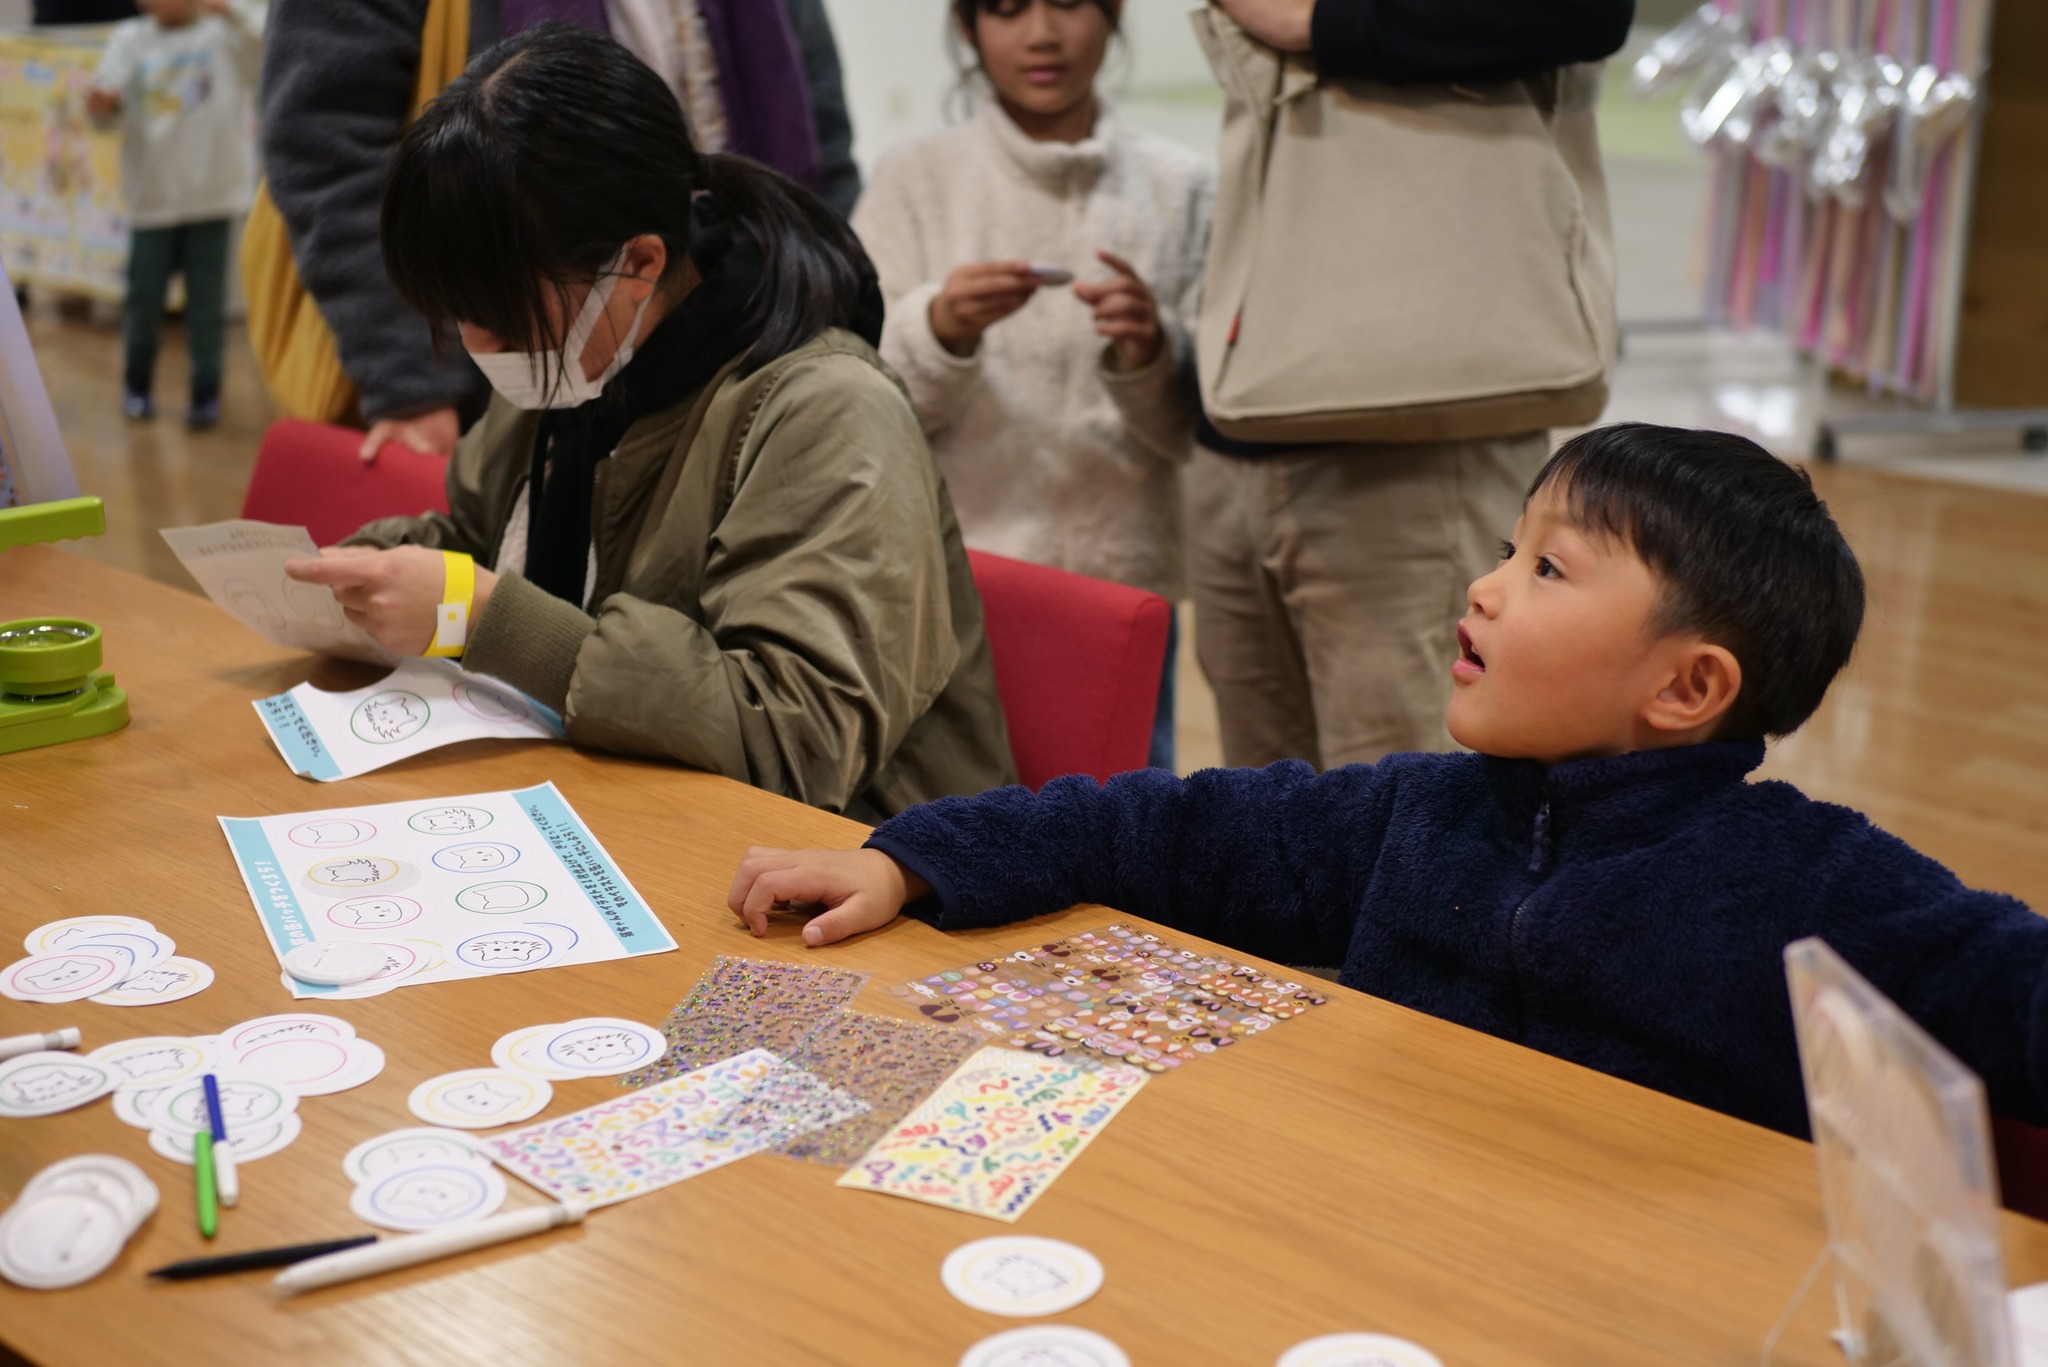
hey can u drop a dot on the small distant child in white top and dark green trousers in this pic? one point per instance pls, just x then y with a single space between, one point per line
181 79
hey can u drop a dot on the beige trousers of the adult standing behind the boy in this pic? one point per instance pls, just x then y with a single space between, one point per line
1328 589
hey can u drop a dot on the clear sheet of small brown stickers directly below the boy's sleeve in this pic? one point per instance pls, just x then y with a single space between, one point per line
1117 993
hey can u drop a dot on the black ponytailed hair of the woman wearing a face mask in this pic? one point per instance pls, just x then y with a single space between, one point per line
554 149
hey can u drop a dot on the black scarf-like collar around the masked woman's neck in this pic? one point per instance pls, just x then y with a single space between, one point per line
681 356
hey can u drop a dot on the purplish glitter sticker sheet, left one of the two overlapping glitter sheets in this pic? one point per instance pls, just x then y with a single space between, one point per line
744 1005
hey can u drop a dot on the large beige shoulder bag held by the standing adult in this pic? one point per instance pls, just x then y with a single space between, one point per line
1402 263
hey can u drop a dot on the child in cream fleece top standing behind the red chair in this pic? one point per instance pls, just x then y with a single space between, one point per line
1062 421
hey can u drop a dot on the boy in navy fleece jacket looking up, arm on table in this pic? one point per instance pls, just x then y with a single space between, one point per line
1598 880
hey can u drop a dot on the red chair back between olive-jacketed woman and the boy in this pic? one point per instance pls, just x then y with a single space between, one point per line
1078 667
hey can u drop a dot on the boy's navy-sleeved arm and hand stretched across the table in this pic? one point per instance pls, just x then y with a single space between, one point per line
1267 860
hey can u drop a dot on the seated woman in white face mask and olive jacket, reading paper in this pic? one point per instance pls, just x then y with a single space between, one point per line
699 517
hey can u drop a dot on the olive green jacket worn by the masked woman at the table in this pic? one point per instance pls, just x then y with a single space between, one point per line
781 591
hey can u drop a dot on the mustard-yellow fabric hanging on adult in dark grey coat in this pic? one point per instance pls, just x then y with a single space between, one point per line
292 341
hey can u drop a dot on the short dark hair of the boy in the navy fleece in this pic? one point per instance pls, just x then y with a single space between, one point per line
1748 554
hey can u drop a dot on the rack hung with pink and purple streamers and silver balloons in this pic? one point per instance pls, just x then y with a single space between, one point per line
1873 202
